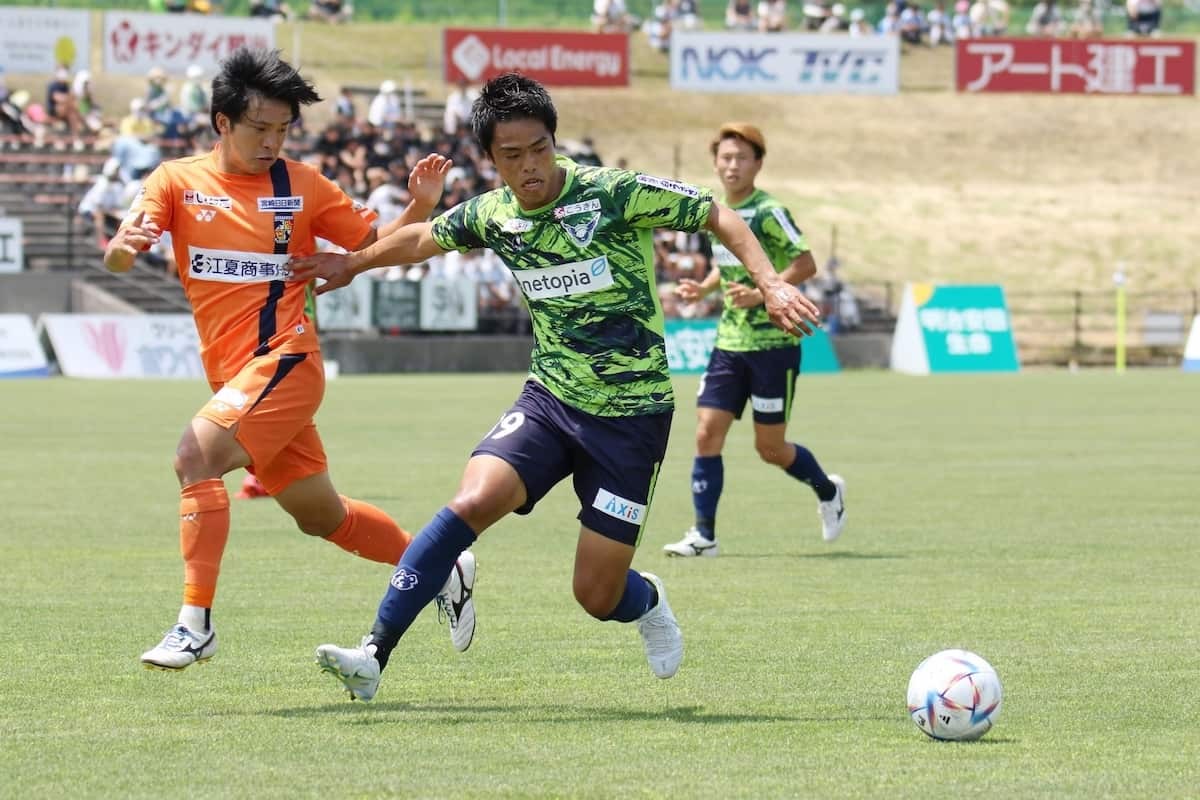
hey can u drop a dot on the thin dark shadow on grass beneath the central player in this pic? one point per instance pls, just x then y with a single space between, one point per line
387 713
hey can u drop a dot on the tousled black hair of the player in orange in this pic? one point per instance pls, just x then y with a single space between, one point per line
248 73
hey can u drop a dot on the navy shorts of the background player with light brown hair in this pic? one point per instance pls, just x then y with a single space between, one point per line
767 378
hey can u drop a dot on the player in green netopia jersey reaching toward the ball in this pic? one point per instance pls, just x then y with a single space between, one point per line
598 404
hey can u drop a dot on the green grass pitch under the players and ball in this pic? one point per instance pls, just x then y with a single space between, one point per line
1047 521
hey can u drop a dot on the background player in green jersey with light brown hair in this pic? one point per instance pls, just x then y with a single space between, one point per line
753 360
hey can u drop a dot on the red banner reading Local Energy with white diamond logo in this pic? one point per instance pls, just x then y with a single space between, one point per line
555 58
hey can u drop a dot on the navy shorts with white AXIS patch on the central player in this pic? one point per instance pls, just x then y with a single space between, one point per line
615 459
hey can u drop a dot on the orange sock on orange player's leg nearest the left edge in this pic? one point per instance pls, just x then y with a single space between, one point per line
203 532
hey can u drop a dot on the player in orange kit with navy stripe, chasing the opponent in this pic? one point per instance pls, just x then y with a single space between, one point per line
237 215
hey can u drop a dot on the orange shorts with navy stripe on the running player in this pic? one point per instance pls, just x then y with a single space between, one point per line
273 402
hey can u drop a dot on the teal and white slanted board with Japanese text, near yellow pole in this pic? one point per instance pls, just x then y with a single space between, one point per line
953 329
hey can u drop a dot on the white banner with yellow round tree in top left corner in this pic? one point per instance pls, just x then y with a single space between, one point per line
38 41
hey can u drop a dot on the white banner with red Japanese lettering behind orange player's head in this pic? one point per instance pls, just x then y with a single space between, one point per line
135 43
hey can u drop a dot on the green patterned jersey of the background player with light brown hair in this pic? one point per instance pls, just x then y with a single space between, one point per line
742 330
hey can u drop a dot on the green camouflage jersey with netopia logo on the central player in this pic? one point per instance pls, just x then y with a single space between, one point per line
585 264
